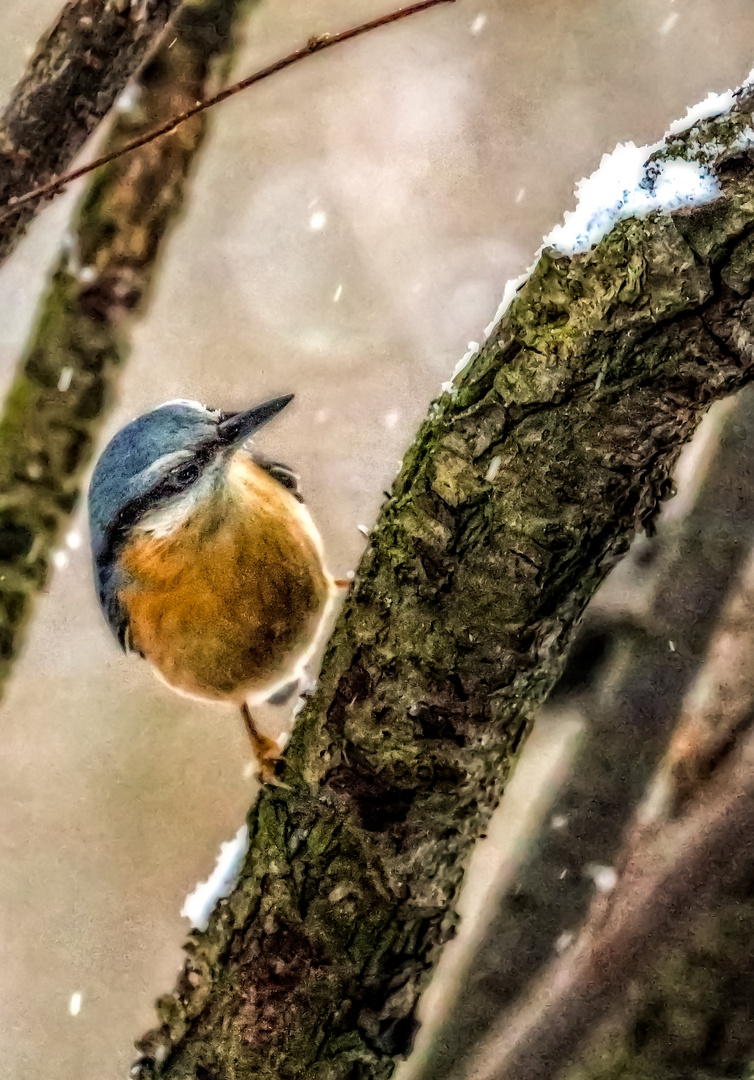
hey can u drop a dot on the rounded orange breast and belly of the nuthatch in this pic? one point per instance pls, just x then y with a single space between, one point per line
227 604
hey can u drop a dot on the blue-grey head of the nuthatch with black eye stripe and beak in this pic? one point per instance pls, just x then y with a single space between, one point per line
149 463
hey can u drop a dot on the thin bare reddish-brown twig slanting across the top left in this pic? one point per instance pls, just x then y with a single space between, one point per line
314 46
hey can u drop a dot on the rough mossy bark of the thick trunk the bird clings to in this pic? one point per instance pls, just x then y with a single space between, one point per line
524 485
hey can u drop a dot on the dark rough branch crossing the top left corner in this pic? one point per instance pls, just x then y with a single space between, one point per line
78 70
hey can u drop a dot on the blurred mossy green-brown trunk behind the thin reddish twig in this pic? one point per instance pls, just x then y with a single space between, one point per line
69 373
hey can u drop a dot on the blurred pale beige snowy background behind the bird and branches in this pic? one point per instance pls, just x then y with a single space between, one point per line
348 233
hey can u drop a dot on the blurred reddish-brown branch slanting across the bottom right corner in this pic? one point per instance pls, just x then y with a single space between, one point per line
691 868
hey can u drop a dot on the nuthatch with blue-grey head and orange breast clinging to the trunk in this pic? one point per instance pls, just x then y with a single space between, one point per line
206 561
